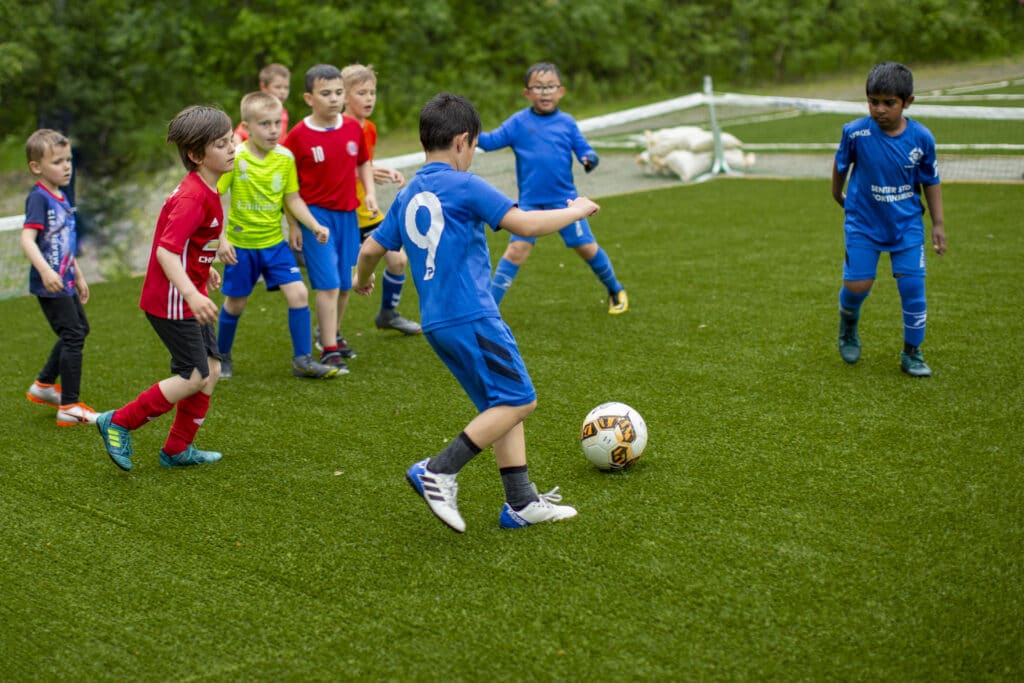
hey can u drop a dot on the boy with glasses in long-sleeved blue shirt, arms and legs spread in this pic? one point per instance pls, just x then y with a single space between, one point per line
545 140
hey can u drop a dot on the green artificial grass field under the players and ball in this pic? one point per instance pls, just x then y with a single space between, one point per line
794 519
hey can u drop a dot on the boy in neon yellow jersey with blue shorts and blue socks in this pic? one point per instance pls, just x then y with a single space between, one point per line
263 182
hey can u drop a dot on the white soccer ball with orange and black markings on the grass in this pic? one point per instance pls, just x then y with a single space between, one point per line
614 436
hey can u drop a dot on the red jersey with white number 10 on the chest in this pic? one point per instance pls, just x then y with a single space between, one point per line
326 160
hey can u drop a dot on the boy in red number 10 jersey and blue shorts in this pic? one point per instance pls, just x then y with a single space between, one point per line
330 154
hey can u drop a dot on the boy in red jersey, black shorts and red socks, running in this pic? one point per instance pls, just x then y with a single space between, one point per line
175 295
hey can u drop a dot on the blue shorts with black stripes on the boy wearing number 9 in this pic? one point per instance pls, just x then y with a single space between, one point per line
484 357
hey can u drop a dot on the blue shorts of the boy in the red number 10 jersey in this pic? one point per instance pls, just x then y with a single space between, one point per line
330 267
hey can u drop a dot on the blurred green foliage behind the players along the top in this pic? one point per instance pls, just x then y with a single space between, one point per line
114 72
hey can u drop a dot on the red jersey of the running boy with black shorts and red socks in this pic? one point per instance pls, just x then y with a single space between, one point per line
190 227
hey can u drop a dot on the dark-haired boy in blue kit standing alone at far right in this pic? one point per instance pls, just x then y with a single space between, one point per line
893 162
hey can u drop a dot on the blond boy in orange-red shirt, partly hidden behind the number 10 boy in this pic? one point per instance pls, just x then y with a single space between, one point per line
361 98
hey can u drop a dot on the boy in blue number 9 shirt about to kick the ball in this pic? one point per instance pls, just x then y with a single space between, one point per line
440 220
